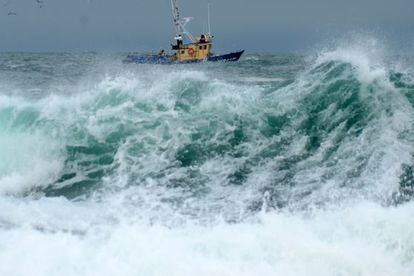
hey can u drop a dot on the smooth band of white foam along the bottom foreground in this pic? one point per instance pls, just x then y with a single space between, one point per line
365 239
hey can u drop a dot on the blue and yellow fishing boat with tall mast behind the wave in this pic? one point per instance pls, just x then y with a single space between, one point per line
187 48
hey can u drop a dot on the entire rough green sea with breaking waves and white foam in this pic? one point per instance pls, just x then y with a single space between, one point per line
273 165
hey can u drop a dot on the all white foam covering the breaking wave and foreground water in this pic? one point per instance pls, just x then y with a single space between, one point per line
140 224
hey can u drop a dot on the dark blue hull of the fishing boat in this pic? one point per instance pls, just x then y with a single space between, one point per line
156 59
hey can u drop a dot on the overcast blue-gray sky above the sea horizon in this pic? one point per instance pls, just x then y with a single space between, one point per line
254 25
